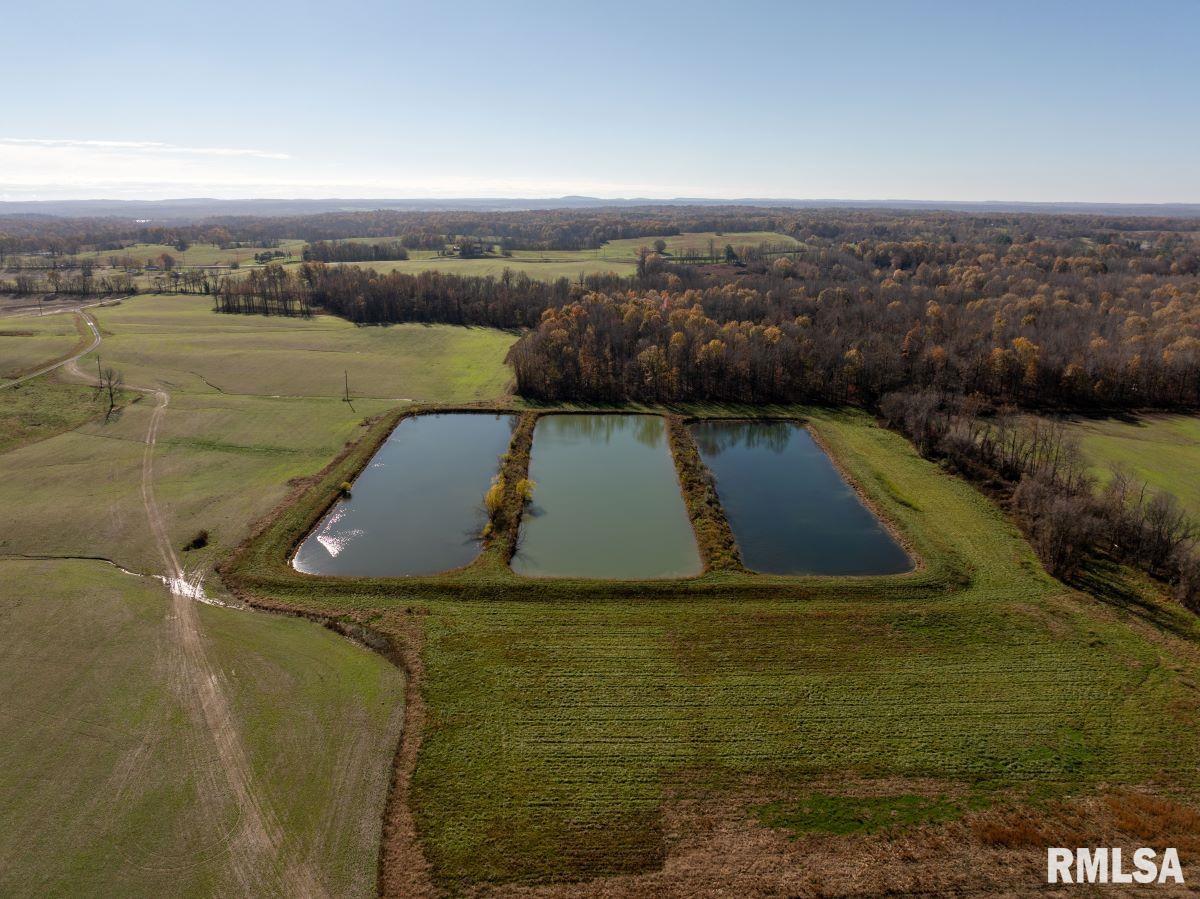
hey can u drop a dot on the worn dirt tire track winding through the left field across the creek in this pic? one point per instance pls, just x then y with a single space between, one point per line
256 849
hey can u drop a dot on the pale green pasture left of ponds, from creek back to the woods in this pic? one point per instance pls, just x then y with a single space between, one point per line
255 404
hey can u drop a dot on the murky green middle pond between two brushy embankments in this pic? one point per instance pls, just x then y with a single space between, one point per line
608 502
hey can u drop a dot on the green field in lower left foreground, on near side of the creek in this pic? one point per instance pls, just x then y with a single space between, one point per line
100 786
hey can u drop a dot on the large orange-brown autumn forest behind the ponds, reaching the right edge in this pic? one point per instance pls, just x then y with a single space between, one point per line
1034 322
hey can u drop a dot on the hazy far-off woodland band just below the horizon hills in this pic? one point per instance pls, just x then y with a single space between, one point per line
574 229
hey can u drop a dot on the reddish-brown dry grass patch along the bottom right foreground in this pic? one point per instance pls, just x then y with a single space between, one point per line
721 849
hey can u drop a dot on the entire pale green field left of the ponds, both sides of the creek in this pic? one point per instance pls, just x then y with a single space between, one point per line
110 782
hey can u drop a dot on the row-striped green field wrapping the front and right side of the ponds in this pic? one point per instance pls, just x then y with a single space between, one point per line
674 741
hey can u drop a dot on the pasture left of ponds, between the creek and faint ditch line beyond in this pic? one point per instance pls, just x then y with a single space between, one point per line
220 463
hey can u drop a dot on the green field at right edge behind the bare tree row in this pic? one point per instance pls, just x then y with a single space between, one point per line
1161 451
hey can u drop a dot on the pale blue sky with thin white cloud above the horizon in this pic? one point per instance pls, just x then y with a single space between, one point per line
1048 101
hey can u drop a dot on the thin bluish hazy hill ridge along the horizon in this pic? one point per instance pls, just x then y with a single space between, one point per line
200 208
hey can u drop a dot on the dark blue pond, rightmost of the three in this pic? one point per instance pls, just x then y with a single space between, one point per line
790 508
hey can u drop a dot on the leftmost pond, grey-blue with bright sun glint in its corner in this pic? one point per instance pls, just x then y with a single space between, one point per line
418 507
